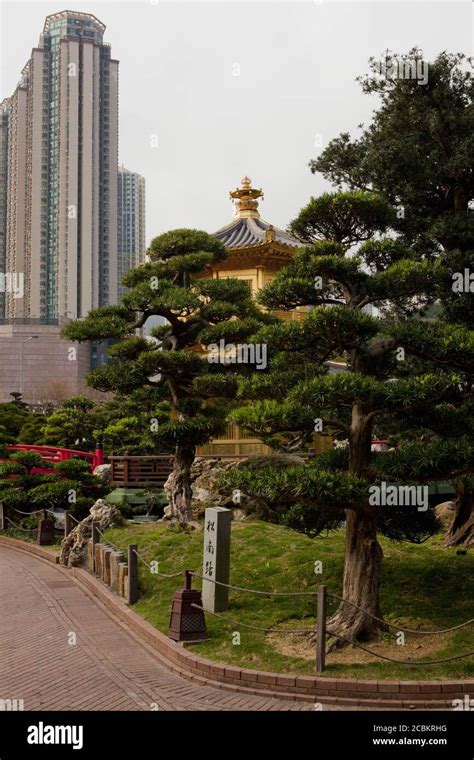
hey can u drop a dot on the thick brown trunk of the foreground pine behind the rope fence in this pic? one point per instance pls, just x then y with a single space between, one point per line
363 556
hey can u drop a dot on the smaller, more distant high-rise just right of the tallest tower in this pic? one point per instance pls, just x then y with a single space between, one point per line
131 238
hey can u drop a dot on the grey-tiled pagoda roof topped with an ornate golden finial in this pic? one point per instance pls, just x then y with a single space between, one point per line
248 228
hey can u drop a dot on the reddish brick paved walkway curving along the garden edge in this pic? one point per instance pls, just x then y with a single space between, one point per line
106 670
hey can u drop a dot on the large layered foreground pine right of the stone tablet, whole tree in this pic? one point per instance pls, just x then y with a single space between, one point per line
400 367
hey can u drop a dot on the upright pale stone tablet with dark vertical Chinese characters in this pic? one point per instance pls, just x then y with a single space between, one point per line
216 562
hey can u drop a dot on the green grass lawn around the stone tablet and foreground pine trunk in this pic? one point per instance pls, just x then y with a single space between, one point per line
423 587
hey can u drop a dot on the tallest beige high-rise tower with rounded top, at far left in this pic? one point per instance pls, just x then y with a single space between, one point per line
61 173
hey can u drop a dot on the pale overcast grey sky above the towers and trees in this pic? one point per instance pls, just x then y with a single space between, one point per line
235 88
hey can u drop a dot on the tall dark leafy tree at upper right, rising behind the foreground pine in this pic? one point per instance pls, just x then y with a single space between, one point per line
419 153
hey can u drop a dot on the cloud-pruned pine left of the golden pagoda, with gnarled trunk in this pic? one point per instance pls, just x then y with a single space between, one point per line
173 369
